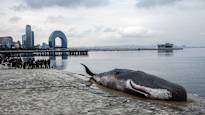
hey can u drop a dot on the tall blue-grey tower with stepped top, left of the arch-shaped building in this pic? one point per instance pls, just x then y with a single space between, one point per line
28 38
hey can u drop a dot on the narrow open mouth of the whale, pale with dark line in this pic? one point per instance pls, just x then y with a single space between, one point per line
139 89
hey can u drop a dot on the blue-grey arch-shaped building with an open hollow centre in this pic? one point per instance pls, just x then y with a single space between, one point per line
56 34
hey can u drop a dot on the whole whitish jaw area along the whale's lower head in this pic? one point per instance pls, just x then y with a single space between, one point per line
162 94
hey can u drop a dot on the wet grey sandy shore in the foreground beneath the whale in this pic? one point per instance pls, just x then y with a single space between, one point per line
54 92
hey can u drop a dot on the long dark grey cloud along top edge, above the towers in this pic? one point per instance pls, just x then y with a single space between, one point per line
64 3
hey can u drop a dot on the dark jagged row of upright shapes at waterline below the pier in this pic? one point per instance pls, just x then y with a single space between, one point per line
29 63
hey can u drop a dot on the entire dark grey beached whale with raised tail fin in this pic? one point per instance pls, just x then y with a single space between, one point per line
140 84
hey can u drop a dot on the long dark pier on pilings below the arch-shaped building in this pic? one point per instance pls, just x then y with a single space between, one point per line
58 52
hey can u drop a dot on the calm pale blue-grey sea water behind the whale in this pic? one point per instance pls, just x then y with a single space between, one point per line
185 67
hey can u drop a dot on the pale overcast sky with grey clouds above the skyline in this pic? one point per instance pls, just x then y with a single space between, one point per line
107 22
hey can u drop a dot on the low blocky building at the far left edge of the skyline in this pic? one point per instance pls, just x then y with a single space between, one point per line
6 42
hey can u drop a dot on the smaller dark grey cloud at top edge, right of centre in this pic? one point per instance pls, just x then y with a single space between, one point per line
154 3
